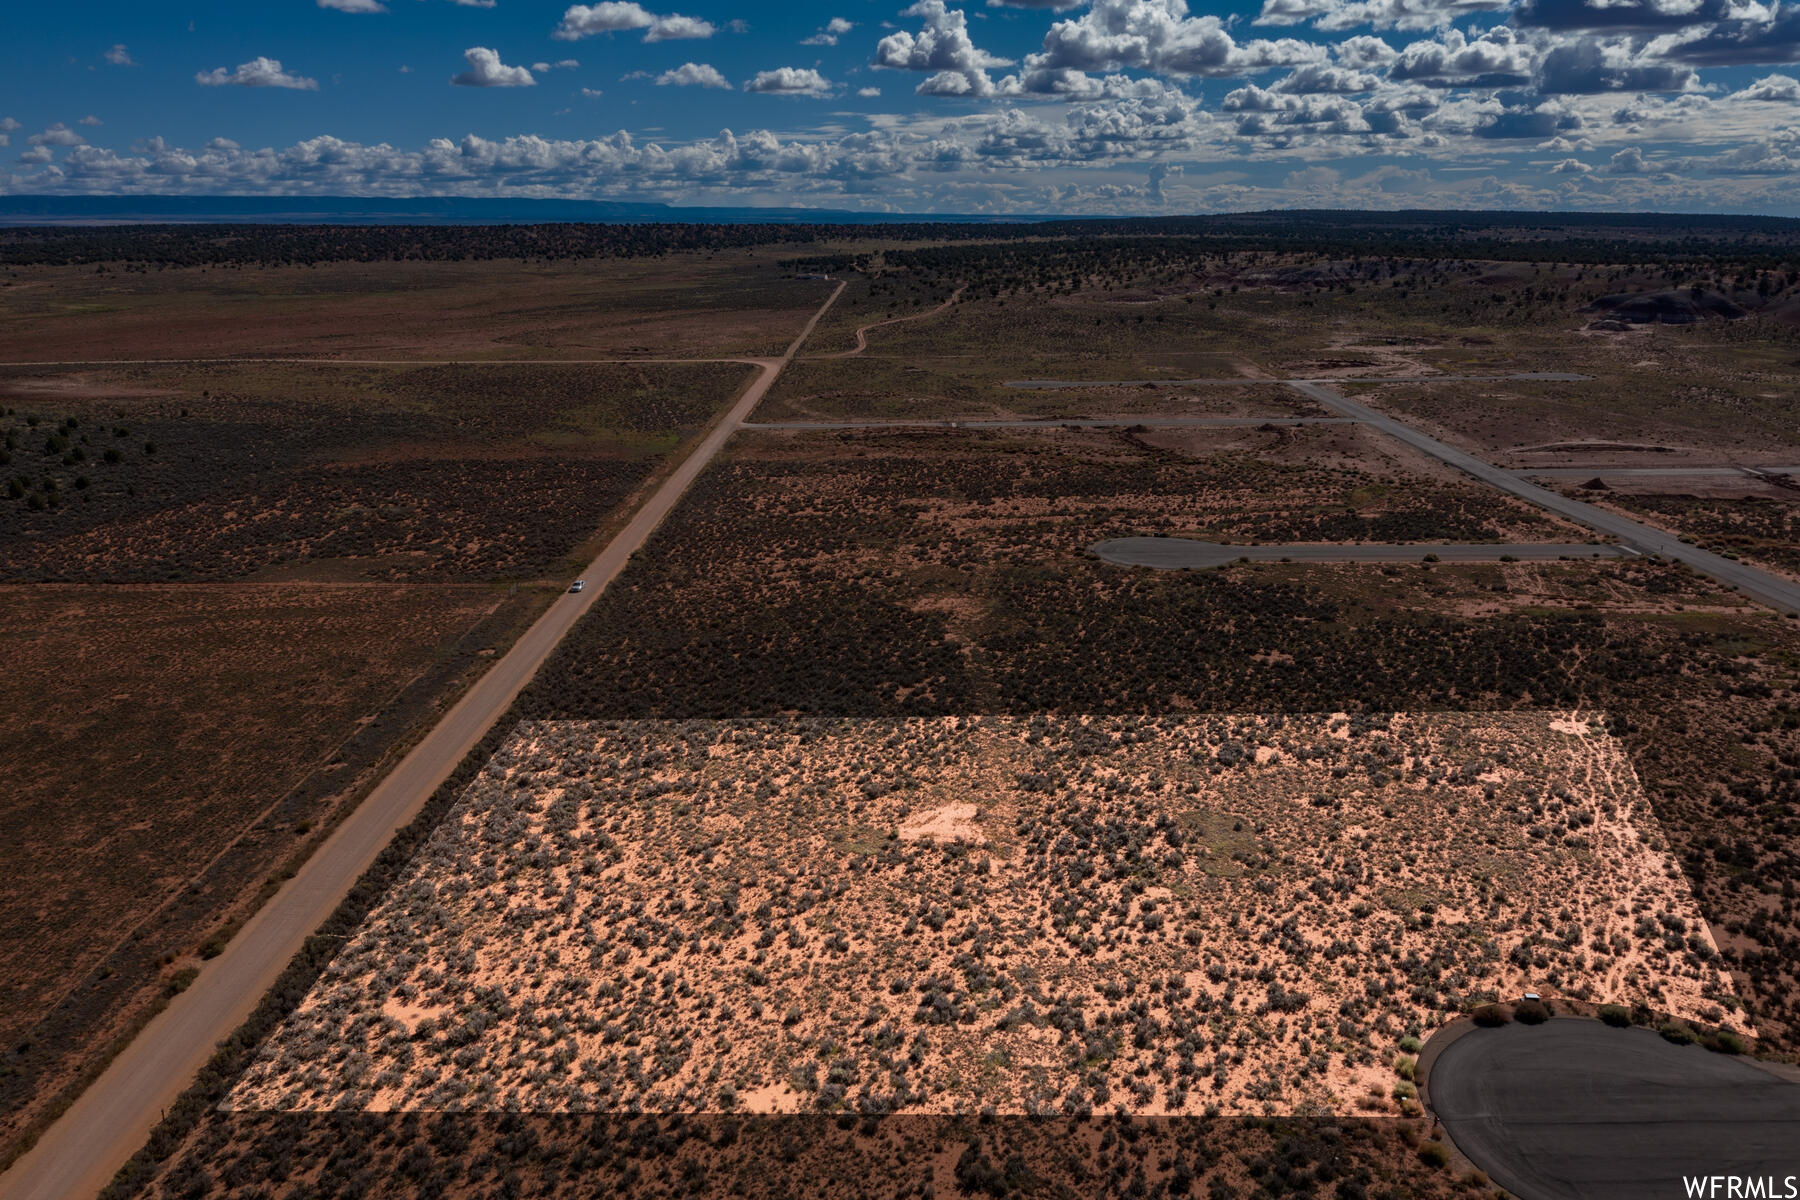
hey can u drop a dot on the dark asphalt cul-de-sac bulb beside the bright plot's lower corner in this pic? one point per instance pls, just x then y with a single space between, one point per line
1578 1111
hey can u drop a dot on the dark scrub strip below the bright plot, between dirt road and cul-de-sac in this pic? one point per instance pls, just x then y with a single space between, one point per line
786 1158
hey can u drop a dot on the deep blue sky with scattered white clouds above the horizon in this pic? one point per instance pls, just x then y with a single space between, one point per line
978 107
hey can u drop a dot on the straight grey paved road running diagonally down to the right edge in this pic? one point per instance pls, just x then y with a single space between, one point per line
1759 586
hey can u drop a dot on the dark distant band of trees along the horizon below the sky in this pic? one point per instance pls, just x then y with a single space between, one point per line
1749 242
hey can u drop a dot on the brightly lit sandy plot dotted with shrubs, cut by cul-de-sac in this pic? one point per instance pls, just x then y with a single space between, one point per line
1124 915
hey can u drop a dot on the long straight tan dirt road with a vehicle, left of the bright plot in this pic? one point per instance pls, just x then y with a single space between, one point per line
107 1125
